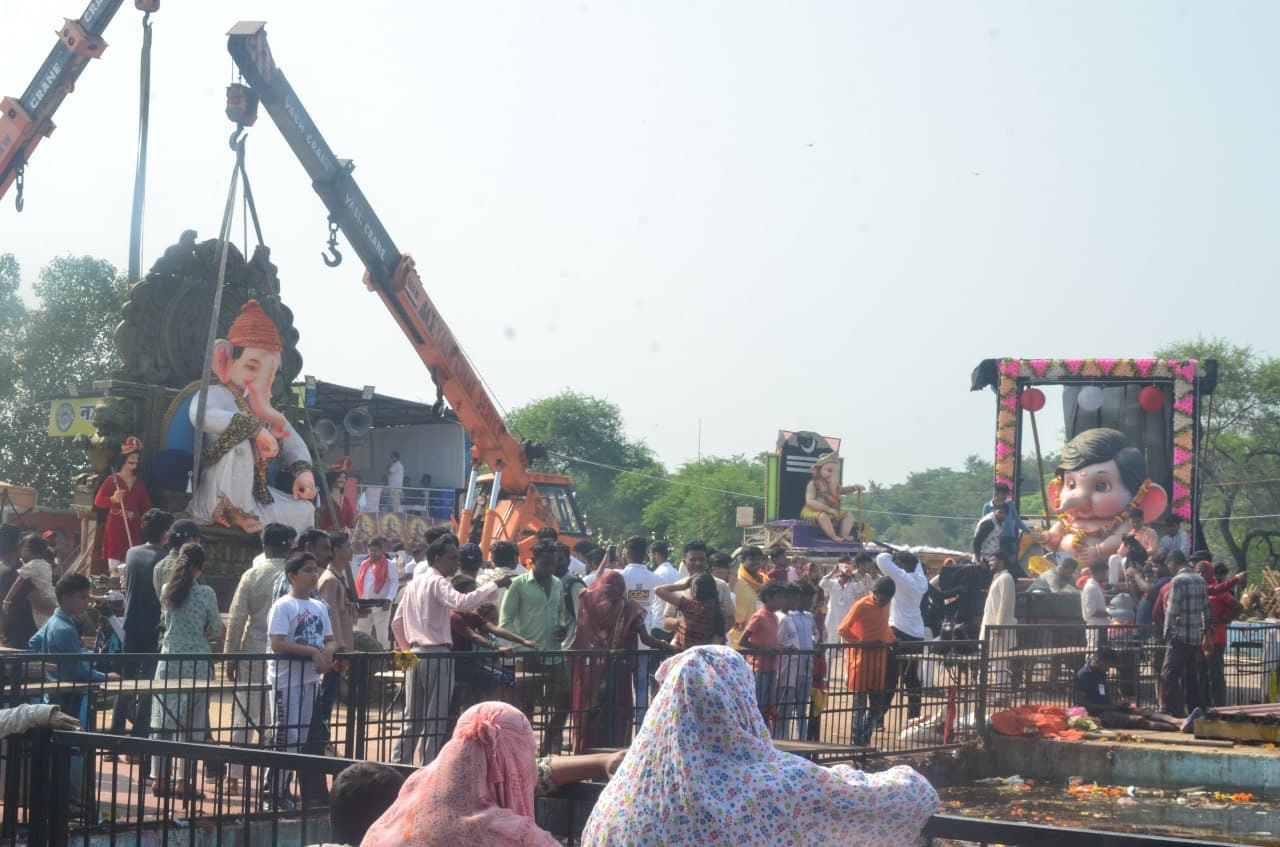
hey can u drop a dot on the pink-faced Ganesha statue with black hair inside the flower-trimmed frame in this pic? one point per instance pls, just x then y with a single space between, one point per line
1099 480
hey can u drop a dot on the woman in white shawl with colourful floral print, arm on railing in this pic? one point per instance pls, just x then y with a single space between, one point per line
705 773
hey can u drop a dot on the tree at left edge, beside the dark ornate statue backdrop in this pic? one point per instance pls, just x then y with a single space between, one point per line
68 340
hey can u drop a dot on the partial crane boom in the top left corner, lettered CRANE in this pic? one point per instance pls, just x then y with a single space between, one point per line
29 121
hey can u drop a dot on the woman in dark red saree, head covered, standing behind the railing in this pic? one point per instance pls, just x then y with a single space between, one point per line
607 621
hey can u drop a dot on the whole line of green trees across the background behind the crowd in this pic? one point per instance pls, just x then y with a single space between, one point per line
623 488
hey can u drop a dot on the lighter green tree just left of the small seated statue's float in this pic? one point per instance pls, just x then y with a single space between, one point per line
701 501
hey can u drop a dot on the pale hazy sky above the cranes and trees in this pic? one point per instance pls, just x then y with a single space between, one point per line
755 216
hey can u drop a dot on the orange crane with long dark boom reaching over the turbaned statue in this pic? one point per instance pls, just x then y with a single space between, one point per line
520 501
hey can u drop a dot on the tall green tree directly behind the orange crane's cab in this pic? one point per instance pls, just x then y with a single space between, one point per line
584 438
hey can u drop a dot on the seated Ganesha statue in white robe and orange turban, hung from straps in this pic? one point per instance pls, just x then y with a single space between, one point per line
244 433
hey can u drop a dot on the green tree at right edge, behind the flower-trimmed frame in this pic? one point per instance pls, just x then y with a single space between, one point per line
1240 461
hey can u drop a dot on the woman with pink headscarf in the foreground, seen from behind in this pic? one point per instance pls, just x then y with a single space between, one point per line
479 793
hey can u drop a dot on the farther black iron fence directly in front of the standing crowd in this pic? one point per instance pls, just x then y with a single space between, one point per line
839 703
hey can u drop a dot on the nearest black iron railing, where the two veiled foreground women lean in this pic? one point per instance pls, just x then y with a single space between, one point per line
77 798
